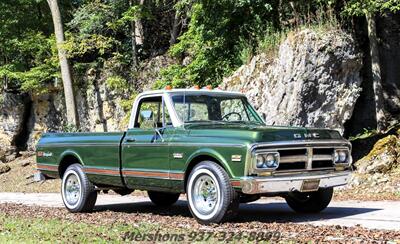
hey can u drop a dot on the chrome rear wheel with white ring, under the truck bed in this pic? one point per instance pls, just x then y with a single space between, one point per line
72 189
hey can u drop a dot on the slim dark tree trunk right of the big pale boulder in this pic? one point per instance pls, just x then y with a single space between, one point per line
376 73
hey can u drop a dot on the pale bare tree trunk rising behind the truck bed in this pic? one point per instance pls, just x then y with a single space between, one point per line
72 115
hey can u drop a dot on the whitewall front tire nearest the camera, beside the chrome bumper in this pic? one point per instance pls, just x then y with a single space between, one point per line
209 174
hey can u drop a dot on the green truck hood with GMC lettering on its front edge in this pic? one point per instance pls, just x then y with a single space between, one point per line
258 133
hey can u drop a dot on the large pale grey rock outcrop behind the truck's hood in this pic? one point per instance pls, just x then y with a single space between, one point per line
314 80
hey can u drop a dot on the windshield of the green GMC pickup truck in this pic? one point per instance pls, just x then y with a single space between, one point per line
215 108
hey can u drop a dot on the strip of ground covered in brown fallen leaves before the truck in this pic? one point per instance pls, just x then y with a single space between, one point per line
165 222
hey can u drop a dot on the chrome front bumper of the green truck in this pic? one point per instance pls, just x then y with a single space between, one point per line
288 183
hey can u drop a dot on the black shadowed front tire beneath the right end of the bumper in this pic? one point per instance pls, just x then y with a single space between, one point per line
310 202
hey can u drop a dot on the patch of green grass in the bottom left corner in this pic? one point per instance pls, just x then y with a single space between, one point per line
14 229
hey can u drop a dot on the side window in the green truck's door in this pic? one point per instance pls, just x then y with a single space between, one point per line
149 113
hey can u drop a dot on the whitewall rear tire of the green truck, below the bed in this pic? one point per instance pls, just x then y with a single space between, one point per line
87 196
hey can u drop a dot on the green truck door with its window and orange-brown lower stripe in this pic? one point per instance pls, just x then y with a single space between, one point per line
145 151
